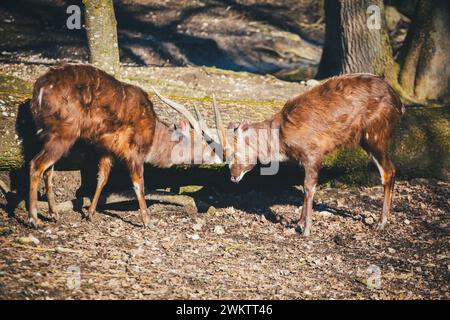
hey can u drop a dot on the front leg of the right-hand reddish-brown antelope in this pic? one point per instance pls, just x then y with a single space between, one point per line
311 174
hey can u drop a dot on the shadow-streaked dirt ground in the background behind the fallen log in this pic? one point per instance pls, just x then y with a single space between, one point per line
175 33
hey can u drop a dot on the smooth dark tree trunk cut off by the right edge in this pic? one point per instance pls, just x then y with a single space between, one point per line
425 67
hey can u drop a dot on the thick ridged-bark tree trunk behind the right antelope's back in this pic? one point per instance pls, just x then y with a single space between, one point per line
353 43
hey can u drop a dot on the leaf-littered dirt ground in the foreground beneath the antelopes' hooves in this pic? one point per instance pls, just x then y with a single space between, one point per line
246 247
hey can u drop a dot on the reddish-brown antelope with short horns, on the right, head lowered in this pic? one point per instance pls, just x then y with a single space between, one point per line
343 111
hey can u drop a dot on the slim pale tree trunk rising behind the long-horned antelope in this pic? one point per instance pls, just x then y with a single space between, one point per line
101 29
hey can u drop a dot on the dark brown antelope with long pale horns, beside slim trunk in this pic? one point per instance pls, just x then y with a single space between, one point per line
74 102
